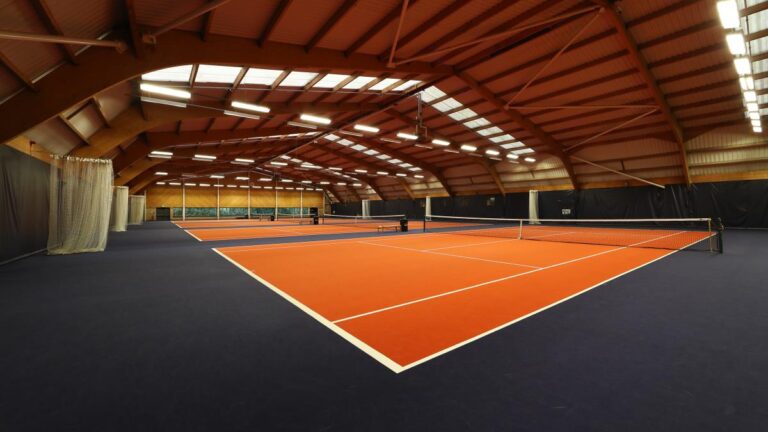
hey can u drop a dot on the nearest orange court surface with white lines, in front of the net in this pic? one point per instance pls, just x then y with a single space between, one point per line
406 299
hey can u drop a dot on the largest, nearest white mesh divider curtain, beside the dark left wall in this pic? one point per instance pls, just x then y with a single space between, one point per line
81 202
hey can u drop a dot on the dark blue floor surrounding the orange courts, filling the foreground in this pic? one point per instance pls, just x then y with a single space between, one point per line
161 334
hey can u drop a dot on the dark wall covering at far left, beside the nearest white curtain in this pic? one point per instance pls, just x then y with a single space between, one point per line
23 204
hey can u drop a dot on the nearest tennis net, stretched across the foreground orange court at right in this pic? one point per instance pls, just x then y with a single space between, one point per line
672 234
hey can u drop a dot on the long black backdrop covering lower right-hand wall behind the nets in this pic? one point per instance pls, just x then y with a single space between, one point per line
738 204
